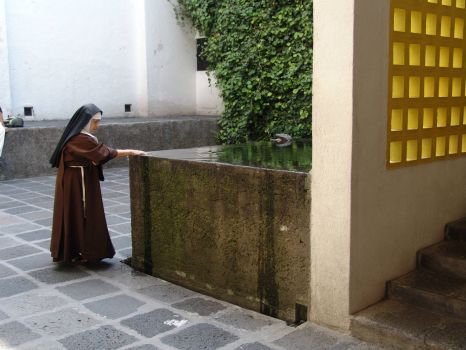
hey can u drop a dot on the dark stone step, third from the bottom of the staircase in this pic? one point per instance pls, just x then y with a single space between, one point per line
448 257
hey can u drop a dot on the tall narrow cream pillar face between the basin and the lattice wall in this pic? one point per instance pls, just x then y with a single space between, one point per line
331 162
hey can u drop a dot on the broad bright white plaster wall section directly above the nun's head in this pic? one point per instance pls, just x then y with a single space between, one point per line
64 53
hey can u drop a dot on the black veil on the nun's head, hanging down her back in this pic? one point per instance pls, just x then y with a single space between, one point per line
78 121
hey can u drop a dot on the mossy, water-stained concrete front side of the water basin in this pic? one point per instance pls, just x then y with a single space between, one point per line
239 234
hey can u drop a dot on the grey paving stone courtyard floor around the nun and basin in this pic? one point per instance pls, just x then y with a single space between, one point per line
48 306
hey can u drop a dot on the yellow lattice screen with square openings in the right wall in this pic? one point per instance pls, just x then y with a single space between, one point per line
427 81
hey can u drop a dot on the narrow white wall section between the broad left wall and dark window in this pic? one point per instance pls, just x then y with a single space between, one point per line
171 61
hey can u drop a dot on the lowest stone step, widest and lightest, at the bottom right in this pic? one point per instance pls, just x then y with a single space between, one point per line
398 325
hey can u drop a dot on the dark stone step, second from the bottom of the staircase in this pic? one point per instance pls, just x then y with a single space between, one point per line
432 291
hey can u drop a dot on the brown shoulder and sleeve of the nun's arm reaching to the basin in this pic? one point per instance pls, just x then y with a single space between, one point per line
83 146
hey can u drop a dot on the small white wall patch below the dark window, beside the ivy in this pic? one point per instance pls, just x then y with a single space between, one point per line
208 100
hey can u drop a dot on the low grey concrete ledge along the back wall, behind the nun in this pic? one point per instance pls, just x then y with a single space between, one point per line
27 150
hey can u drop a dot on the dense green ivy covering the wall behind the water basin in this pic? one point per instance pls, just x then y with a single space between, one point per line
260 53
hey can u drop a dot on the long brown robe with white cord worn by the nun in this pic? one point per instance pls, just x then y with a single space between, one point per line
80 230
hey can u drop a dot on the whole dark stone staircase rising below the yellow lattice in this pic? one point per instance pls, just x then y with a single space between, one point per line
425 309
